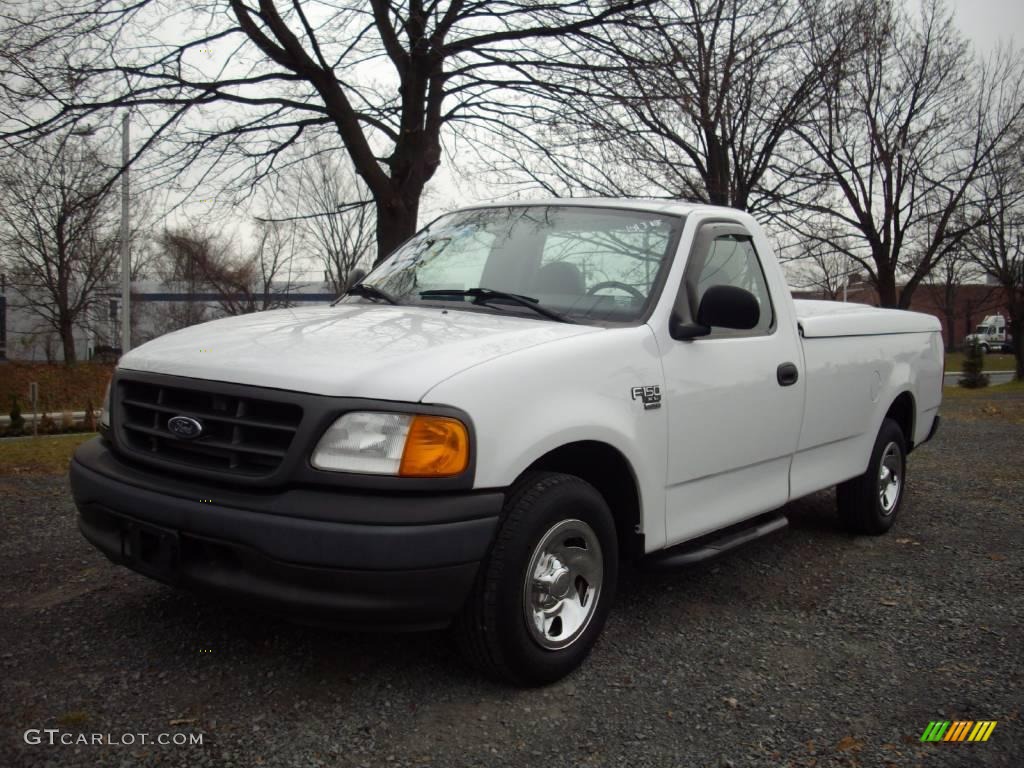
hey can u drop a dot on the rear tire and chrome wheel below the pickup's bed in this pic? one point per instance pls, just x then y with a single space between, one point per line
869 504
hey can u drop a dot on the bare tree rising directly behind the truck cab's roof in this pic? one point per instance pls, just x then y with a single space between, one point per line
695 102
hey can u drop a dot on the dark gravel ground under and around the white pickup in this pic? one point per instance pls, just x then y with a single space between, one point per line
812 649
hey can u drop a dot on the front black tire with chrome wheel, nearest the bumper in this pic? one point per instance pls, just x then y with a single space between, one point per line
543 595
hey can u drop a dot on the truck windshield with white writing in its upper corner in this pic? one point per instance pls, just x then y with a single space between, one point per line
584 264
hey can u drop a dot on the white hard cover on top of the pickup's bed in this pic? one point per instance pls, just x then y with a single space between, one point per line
836 319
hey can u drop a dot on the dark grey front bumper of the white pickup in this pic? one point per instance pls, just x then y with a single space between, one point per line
366 560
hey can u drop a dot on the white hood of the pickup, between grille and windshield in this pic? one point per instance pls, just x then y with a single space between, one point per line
357 351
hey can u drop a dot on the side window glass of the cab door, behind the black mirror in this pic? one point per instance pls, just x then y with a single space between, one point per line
732 261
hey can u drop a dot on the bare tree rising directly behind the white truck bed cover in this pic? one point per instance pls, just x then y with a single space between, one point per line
892 154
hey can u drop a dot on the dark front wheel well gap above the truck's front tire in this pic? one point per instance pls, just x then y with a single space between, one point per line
610 472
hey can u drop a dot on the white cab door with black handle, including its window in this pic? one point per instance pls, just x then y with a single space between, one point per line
734 426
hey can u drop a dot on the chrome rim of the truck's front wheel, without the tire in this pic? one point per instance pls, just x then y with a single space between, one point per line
563 585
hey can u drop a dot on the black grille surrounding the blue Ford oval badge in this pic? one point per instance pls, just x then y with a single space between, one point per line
242 435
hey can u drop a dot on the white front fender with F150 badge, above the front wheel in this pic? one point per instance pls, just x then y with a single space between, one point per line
572 395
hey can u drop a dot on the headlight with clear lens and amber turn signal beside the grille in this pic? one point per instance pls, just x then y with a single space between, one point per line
403 445
